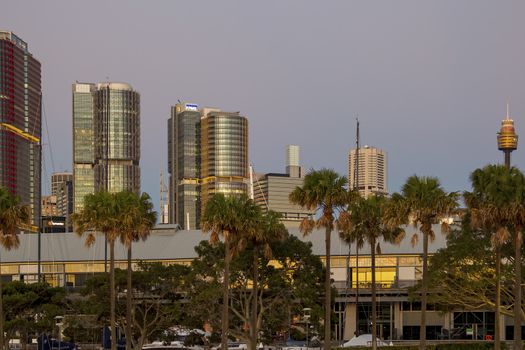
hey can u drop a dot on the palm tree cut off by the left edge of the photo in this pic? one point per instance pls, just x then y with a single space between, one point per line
12 215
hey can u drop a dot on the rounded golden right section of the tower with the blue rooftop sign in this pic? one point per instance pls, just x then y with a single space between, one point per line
224 154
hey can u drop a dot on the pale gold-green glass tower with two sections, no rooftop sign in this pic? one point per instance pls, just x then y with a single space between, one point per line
106 139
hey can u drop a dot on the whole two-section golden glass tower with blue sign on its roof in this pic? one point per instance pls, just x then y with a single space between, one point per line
207 154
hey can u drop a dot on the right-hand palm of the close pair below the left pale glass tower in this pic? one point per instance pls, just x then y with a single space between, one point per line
137 219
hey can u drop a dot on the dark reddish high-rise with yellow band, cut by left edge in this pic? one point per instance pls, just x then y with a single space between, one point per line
20 122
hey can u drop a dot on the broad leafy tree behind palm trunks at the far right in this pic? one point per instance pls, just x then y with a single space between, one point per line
462 276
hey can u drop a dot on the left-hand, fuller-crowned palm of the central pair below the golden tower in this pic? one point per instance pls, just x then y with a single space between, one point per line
227 217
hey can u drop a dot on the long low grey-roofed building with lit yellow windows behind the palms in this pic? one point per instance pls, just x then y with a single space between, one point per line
66 261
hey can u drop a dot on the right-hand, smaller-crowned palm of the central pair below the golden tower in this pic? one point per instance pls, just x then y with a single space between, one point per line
270 230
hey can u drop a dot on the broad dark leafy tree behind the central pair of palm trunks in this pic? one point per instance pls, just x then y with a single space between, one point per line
292 280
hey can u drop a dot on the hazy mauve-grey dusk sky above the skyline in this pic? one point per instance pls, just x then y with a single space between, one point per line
428 80
